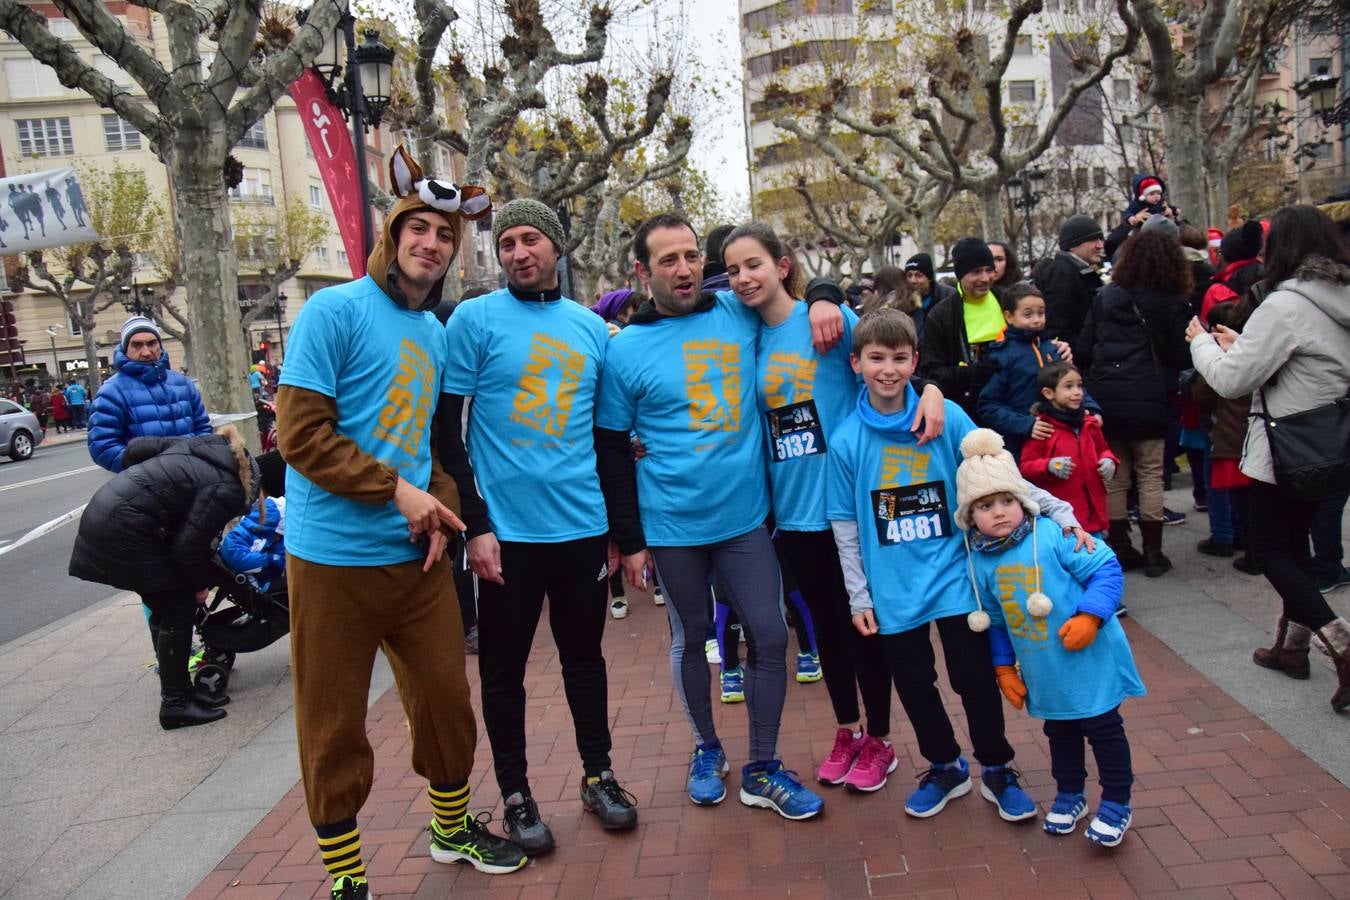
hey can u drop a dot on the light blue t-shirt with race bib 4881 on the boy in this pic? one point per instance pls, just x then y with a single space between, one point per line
904 500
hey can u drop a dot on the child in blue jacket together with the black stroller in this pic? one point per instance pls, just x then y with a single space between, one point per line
253 558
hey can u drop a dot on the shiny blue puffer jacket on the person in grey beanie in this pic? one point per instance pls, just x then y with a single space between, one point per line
142 400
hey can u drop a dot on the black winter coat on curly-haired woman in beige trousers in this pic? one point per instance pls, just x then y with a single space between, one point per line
1133 343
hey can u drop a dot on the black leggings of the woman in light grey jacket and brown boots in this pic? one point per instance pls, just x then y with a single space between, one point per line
1278 536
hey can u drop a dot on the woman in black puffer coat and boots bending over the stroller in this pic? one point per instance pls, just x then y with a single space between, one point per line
152 530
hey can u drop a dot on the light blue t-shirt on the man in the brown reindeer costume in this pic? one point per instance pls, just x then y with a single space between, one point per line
384 365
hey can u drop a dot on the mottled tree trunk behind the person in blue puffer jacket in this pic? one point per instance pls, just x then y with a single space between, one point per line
211 277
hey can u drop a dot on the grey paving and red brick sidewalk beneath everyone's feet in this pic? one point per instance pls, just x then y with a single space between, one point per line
1240 779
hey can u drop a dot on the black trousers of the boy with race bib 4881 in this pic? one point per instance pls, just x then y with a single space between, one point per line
971 673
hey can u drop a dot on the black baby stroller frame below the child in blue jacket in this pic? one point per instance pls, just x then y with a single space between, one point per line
242 617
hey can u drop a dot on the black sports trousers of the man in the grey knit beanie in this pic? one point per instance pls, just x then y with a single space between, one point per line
508 616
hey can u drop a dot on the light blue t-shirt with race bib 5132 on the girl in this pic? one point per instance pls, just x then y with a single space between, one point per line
803 397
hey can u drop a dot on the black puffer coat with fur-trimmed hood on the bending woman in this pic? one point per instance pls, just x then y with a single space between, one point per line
151 530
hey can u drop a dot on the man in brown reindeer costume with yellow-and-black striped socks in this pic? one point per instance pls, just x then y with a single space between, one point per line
369 517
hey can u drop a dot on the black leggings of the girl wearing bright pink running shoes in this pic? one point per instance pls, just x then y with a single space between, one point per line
851 663
